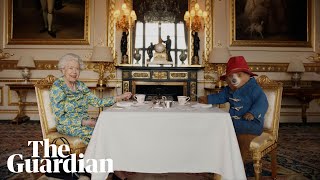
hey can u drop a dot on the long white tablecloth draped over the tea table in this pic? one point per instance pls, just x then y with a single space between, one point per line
180 139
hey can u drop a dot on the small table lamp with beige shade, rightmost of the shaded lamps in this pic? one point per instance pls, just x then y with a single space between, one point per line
297 68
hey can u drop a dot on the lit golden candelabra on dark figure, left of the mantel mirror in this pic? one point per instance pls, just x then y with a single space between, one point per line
125 21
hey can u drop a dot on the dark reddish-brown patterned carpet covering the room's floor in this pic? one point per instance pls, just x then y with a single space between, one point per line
298 152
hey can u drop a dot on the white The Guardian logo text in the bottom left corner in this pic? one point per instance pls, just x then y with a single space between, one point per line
50 162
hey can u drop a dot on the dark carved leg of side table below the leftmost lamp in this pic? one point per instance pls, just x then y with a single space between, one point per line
21 117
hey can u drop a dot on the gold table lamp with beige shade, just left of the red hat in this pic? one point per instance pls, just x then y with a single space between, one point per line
219 55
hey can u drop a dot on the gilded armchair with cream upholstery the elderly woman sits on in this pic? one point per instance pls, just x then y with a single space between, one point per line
47 118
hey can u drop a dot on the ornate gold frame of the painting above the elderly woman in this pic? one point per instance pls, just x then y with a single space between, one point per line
52 41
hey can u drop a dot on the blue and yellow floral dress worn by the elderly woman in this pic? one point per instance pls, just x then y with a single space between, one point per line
71 107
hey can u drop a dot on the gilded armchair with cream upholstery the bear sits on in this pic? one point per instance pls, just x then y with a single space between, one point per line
267 141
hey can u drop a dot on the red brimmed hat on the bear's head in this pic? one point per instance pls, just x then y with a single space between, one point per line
237 64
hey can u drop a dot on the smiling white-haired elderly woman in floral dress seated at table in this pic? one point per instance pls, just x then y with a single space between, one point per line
70 99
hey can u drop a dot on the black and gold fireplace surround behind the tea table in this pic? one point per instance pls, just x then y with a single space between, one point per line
161 76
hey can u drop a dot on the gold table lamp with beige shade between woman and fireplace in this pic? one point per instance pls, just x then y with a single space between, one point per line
102 55
